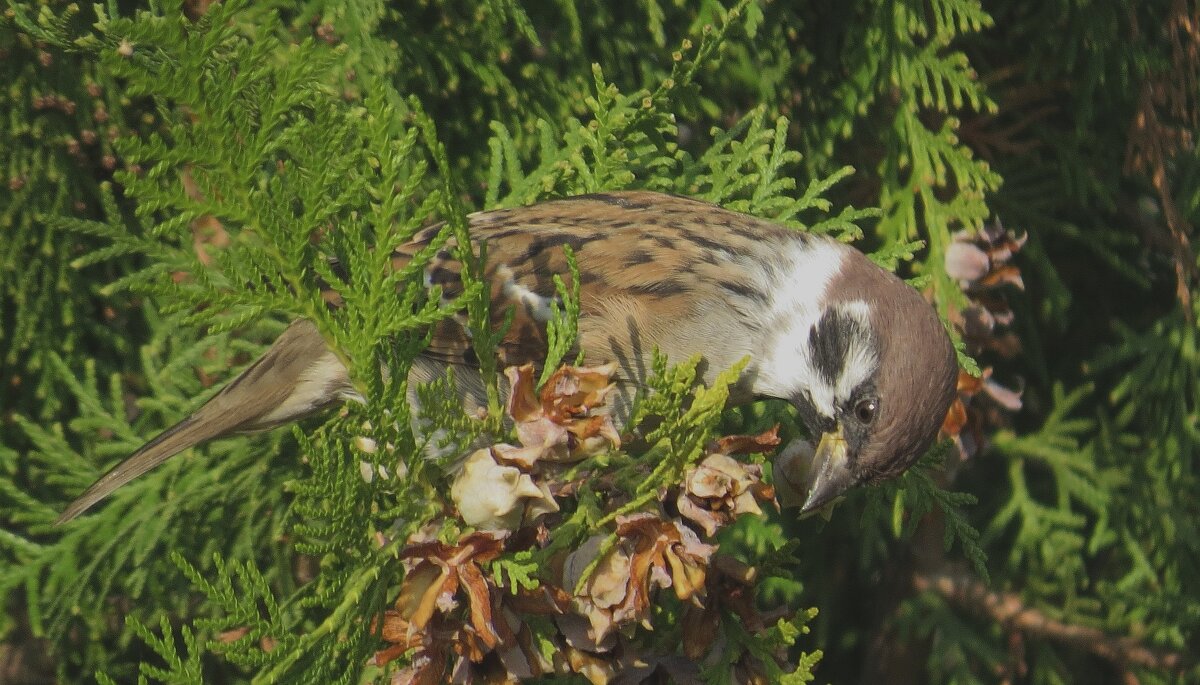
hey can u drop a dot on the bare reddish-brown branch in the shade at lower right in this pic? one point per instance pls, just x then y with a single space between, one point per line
1009 610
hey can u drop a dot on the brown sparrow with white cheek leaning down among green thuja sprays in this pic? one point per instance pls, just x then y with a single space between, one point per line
863 358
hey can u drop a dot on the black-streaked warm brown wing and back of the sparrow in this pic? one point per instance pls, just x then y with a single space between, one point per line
638 272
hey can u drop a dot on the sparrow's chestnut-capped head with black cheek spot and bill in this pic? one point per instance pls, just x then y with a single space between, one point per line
873 378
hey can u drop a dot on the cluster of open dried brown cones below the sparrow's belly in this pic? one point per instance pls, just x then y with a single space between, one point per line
487 639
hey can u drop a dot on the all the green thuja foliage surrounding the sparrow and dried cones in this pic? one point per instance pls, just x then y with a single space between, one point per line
178 178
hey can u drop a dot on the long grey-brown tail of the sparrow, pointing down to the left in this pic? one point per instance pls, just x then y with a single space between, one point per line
296 378
